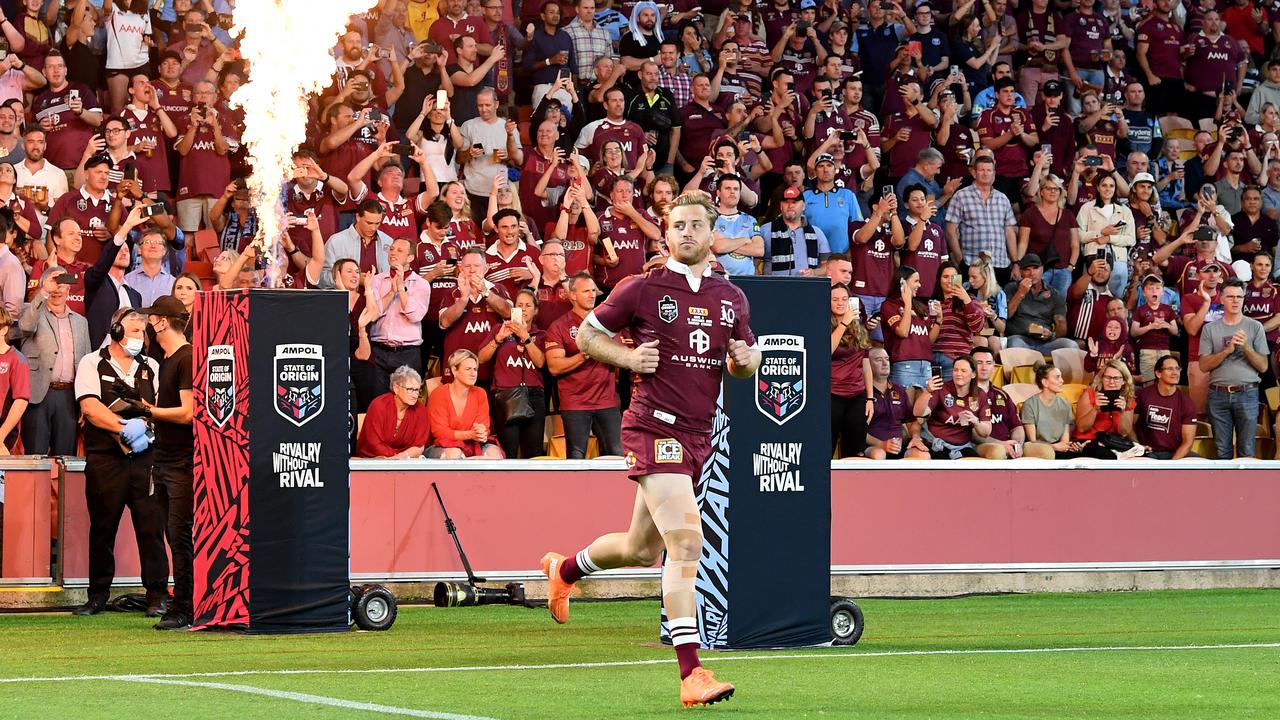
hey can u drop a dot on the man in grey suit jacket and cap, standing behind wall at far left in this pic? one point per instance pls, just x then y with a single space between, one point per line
54 339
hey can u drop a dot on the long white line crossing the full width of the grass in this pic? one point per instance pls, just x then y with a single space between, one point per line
633 663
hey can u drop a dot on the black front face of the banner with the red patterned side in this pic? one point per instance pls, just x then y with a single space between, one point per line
299 479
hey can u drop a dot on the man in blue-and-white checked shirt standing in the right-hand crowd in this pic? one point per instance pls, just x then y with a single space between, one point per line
981 220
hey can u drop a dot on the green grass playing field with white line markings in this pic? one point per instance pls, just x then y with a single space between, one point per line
1113 655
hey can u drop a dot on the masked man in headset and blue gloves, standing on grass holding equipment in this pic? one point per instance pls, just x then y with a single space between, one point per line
111 386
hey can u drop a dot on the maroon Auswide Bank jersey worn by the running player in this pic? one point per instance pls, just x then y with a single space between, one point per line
693 329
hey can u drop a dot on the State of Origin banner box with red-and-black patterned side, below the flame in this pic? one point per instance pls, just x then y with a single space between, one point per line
272 485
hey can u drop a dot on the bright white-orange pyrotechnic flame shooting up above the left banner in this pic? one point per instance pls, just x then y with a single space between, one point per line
289 45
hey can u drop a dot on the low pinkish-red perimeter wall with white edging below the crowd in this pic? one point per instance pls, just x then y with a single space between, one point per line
922 517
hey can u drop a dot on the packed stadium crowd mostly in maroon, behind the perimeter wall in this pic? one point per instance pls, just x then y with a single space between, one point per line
1050 226
